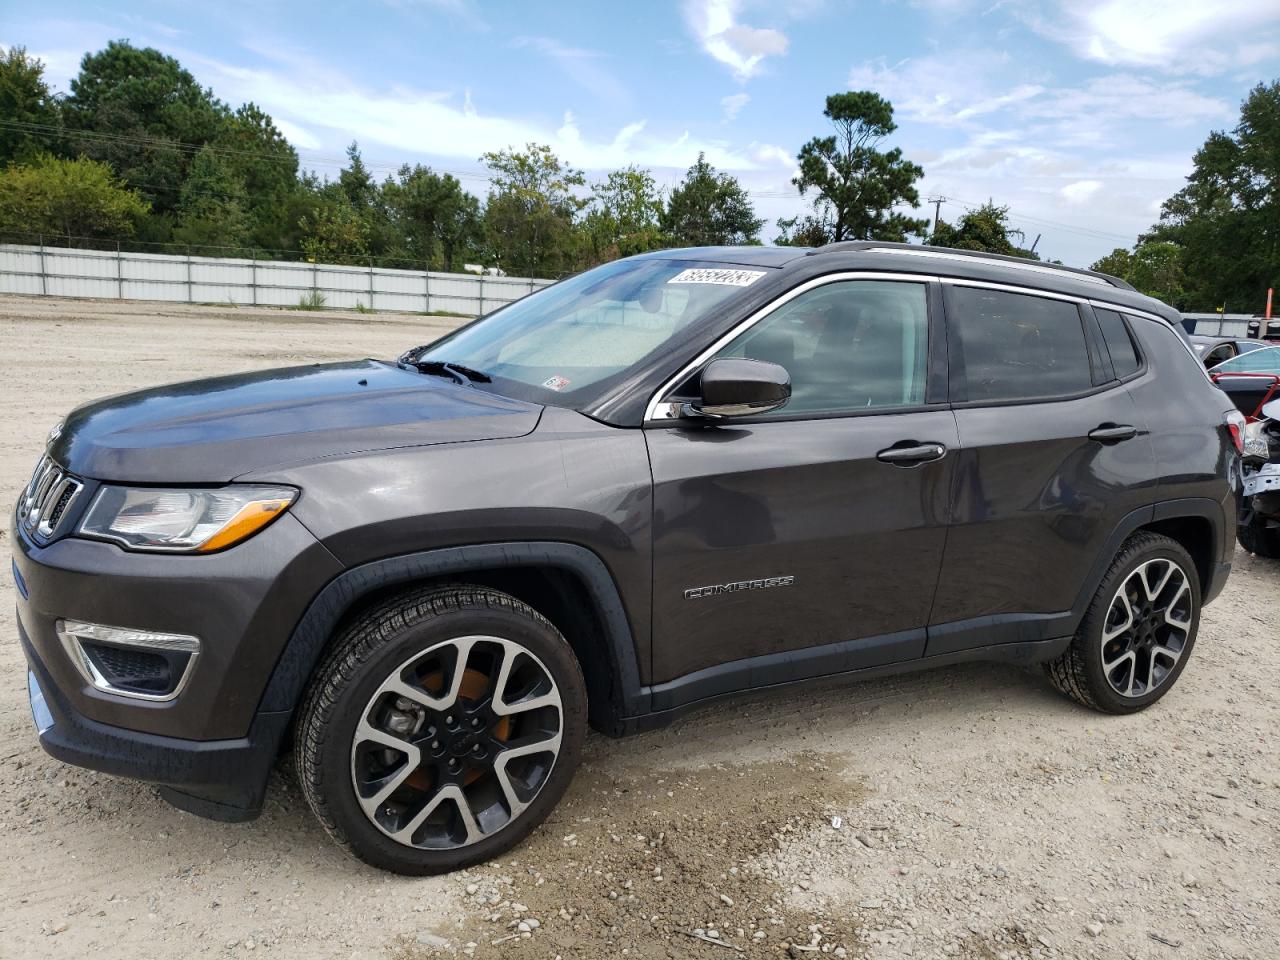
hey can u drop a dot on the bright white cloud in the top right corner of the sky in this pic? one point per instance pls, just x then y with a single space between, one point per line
1180 36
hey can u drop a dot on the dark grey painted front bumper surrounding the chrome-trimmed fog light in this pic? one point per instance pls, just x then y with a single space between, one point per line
243 605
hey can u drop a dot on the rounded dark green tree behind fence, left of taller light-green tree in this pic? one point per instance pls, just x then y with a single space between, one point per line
432 217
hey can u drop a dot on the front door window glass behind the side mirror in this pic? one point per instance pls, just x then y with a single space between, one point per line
849 346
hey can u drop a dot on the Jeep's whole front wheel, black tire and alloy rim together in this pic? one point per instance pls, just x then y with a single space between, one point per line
444 726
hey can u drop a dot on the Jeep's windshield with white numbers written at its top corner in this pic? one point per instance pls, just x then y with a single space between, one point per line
574 336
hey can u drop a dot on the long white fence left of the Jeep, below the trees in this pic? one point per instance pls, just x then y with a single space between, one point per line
60 272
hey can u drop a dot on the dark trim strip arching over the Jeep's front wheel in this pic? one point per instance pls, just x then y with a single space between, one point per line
312 636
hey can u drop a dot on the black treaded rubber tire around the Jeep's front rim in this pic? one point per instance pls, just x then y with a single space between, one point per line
378 644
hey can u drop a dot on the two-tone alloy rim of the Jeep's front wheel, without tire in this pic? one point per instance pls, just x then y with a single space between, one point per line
456 743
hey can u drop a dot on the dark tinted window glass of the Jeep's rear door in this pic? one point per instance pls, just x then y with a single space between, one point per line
1014 346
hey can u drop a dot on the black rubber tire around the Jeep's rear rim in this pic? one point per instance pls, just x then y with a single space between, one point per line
1080 671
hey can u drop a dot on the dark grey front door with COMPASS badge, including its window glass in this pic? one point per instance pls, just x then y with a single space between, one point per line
807 541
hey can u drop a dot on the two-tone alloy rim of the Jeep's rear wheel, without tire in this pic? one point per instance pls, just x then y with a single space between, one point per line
1148 628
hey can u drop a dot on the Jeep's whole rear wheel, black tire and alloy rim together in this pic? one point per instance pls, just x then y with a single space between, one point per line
1139 632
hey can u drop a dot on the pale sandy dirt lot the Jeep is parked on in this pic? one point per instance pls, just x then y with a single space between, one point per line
982 816
